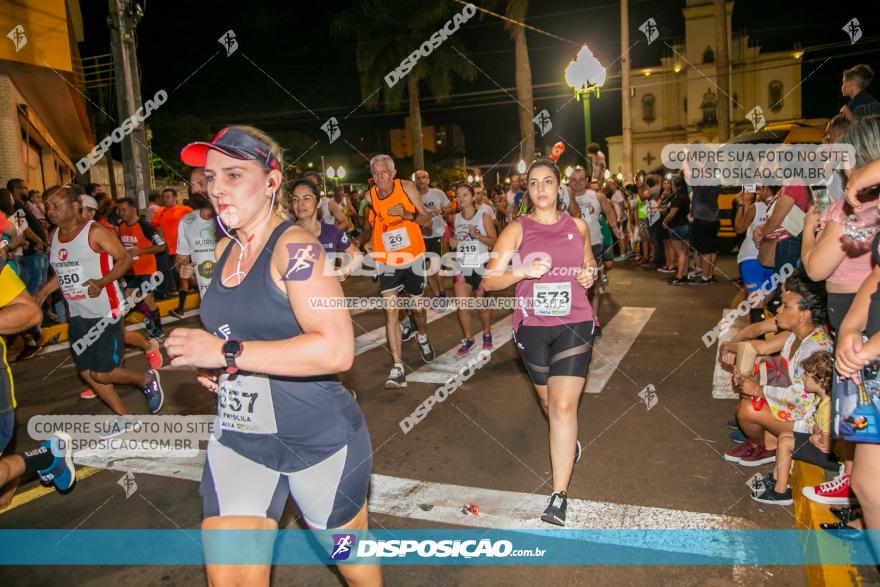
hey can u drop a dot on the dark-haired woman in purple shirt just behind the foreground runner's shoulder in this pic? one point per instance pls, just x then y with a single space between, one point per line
305 201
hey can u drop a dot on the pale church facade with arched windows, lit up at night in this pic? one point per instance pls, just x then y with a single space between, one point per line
677 101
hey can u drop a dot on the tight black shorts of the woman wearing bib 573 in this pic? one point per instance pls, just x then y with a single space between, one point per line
550 351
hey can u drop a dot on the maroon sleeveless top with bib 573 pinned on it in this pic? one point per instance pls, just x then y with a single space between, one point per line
556 298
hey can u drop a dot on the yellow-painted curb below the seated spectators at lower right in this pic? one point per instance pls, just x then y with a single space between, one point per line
808 515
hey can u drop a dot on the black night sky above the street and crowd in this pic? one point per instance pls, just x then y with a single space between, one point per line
291 42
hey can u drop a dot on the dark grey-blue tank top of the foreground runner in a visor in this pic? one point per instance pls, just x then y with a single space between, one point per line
285 423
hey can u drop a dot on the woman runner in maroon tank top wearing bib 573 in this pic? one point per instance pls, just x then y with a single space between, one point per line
552 268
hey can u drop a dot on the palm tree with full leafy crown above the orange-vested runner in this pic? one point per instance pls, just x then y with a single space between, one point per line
388 31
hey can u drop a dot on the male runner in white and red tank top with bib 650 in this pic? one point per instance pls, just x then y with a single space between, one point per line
88 259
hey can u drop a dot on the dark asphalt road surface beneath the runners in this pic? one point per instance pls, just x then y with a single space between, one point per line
490 435
